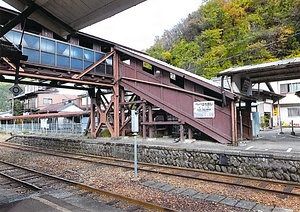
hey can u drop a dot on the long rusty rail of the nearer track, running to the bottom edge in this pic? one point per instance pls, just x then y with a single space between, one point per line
93 189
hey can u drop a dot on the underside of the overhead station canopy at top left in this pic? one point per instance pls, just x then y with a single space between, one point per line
67 16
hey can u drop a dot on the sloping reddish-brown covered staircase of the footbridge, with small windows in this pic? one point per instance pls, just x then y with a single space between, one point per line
174 91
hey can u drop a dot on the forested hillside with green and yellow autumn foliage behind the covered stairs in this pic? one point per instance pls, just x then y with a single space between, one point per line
226 33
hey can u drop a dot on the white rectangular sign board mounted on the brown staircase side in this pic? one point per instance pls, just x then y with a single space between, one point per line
204 109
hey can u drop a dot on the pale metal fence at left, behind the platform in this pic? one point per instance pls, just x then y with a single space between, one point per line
53 128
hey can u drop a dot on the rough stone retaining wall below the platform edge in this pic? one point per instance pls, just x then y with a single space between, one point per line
272 166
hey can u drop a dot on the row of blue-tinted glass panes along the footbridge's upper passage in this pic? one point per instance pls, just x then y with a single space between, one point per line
50 52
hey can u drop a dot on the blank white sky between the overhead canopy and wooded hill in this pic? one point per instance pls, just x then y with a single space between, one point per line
138 26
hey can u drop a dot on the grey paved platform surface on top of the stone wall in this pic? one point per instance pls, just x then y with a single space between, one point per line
268 141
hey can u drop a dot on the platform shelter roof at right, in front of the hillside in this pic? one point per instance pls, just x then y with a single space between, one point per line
268 72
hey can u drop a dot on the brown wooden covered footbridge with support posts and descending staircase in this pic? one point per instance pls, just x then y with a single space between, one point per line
123 79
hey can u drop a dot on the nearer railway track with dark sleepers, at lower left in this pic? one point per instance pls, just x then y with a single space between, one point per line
36 181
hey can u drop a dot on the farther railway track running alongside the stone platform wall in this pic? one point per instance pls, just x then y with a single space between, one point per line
281 188
